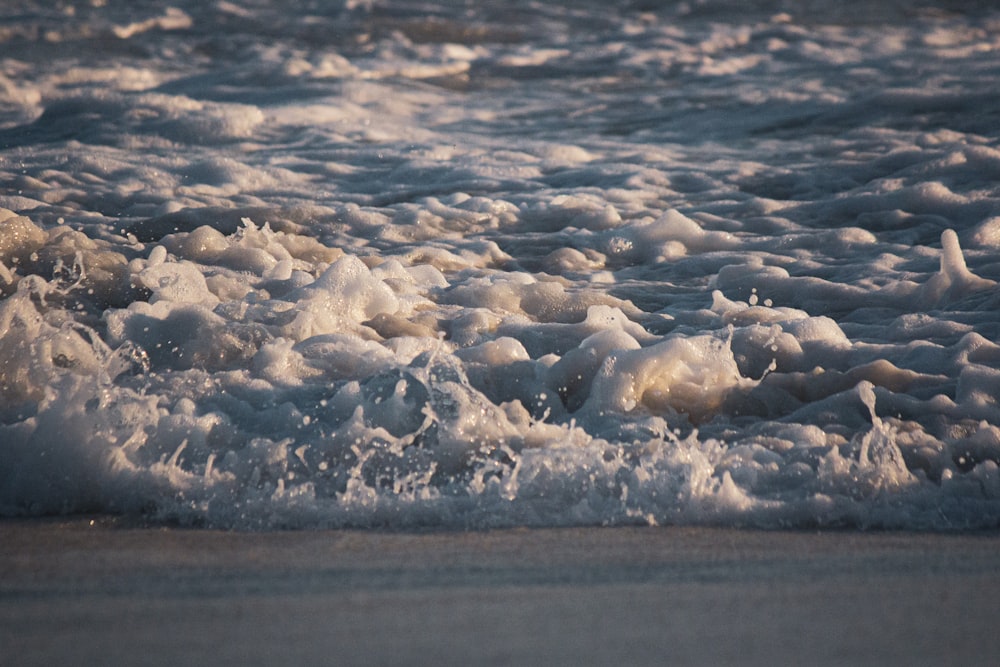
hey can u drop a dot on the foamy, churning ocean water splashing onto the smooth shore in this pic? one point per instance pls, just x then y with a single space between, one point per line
457 264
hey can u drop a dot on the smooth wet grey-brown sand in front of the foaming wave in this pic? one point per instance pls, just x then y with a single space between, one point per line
77 592
